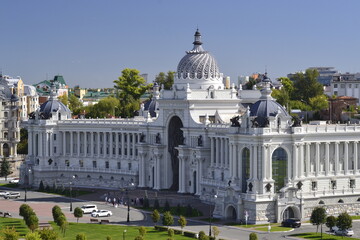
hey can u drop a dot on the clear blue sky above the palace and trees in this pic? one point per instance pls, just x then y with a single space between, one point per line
89 42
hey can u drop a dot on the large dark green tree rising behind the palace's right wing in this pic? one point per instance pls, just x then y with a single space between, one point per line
306 85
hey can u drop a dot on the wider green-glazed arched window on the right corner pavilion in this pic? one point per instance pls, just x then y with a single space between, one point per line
279 168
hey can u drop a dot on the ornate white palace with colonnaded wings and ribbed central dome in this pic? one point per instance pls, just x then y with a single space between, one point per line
237 149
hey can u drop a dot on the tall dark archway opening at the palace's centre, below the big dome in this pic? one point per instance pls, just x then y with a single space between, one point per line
175 138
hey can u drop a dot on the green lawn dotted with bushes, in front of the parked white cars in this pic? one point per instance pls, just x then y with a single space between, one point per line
99 232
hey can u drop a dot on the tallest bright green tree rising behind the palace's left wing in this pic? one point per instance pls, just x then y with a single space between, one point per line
130 86
